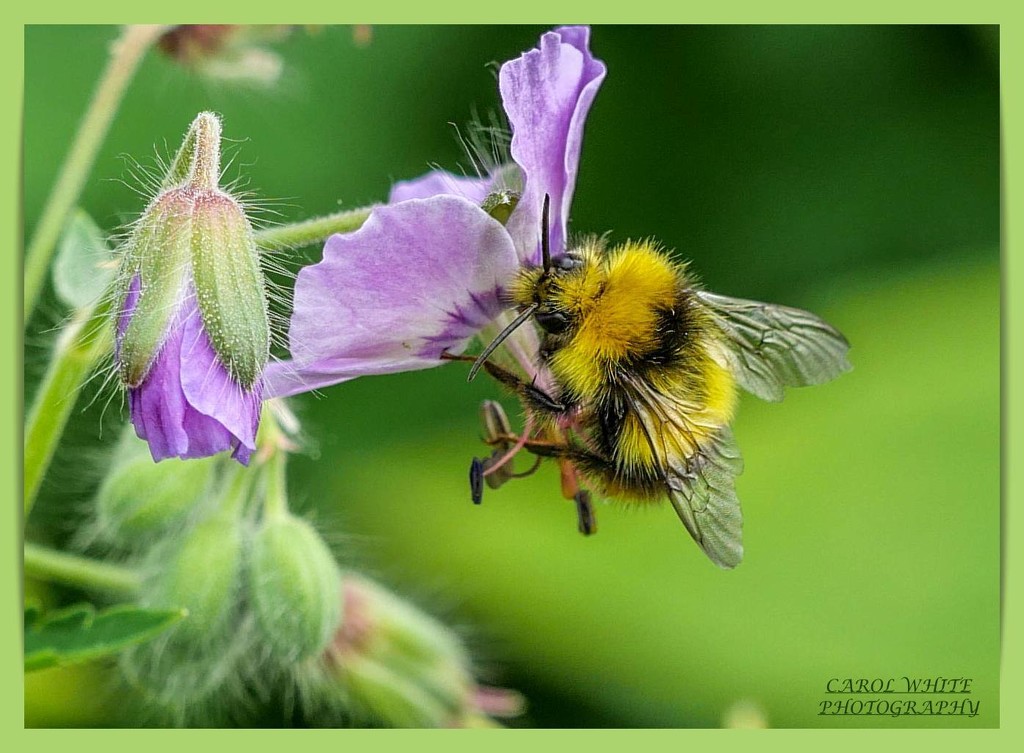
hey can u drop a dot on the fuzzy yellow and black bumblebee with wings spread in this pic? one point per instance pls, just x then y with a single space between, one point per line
646 368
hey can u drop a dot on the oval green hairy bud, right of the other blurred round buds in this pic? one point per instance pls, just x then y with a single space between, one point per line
294 583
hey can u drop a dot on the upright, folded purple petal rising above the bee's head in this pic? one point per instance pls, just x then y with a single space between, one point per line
547 94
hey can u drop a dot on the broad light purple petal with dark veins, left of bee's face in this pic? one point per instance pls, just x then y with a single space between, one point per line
419 278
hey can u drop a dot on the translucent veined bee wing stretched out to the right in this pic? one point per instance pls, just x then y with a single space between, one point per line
770 348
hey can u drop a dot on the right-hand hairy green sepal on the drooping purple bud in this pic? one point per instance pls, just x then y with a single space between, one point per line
230 287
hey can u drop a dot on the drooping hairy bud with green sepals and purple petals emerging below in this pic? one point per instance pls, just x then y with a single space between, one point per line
193 330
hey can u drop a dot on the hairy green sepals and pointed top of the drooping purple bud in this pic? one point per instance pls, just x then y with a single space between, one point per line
194 229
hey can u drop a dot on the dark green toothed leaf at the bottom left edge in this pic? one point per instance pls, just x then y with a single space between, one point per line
80 635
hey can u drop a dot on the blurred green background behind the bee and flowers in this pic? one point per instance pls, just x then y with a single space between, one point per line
850 171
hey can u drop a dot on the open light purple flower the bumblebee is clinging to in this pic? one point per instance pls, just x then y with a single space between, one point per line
426 273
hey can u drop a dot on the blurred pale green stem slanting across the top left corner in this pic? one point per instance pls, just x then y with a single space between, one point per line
126 55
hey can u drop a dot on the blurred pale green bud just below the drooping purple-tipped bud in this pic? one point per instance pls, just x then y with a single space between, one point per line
141 500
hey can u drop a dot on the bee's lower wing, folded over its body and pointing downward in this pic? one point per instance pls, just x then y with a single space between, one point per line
700 476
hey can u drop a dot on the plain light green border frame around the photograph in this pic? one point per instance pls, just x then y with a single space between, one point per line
1012 60
